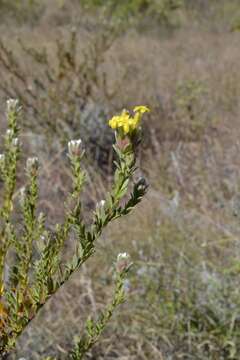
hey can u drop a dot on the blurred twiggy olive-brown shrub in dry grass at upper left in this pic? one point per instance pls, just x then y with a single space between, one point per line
69 89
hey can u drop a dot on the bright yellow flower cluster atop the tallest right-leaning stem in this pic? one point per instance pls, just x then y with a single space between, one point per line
126 123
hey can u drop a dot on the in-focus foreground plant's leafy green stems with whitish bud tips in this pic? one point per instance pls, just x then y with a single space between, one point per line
32 266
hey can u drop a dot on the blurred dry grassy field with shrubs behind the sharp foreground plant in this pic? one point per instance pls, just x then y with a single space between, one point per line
73 65
